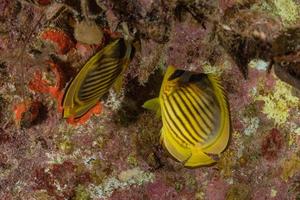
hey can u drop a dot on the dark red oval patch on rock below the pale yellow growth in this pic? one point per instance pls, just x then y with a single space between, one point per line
272 144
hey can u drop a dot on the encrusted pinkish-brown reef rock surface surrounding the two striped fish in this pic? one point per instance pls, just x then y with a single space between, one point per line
114 151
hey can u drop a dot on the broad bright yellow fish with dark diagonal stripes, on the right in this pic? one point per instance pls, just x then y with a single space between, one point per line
195 116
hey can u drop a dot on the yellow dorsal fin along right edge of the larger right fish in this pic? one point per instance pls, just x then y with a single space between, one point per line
219 144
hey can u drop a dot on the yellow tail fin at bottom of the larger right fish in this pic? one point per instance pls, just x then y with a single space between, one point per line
198 158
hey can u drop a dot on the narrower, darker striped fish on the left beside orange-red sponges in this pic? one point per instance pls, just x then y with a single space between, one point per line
97 76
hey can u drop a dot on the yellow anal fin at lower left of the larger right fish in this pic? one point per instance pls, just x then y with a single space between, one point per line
176 150
